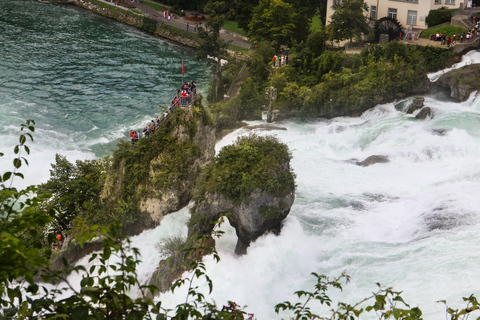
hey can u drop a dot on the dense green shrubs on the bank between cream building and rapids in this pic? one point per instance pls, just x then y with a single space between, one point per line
337 83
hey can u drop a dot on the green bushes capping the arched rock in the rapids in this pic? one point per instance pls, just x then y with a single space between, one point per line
252 162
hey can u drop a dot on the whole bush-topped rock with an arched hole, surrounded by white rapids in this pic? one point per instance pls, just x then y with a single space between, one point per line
249 182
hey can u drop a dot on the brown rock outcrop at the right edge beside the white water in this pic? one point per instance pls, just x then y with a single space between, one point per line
461 82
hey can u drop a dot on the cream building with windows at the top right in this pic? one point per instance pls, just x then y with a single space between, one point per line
410 13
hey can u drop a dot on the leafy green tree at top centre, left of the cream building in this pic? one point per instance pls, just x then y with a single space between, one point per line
273 21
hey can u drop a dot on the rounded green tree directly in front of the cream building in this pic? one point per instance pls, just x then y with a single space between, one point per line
348 20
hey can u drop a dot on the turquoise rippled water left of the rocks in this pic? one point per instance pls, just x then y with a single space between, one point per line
85 79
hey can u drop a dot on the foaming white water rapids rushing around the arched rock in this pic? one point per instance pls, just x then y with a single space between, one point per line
410 224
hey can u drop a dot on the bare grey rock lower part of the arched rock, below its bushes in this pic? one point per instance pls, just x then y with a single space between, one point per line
260 213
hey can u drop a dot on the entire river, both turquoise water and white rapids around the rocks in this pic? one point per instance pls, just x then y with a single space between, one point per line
410 224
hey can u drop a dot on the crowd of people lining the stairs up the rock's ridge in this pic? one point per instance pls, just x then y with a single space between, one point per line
185 95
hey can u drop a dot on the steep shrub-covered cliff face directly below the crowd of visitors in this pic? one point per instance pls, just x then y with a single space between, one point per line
157 175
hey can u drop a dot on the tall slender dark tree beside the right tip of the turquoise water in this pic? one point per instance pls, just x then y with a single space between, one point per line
211 44
